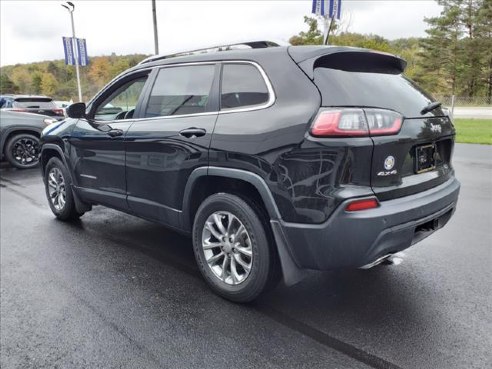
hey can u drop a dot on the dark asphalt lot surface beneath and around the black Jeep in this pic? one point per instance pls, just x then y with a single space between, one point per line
114 291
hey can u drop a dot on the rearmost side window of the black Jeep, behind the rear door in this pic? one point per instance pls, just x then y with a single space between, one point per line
242 85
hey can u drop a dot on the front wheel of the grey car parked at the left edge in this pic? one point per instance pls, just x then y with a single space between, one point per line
22 151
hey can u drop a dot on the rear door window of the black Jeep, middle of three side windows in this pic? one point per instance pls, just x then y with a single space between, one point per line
181 90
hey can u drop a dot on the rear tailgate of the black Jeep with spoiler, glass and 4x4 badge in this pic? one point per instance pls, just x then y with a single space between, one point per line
415 158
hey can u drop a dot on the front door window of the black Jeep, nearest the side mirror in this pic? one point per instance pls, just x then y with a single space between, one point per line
122 102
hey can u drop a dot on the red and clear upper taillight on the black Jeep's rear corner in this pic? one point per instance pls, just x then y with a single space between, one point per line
349 122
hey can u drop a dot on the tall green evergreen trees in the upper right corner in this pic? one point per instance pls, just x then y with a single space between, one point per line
456 49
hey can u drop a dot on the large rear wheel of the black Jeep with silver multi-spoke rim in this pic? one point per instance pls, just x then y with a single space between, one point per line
255 240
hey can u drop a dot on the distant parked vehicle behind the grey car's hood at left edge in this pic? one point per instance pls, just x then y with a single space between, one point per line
31 104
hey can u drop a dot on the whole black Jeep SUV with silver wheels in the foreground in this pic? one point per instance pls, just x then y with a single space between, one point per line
274 159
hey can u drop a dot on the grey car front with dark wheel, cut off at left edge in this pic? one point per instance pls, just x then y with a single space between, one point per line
19 137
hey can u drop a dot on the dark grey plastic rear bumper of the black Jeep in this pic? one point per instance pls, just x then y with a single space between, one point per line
355 239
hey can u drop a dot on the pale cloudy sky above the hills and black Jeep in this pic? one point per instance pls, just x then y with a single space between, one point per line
32 31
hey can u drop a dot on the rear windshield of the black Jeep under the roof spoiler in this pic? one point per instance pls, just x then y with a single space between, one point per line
381 90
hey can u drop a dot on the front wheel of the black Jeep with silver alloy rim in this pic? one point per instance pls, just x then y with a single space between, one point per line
57 178
